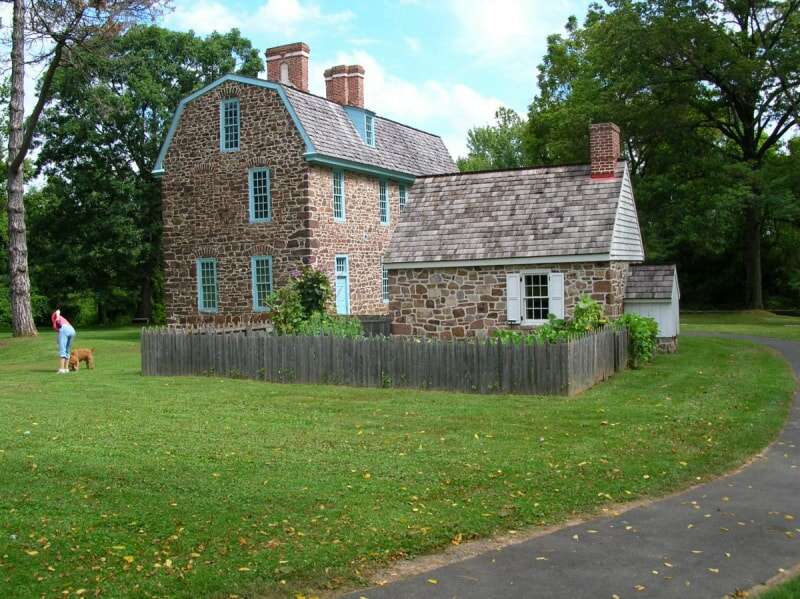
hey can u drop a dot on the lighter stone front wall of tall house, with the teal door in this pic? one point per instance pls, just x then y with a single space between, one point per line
361 236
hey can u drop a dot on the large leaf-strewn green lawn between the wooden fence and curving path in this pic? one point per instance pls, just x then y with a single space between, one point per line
200 487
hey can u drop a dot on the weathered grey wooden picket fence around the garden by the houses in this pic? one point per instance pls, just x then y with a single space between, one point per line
478 367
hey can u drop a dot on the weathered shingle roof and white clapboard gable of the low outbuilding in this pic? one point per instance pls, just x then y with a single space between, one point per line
532 215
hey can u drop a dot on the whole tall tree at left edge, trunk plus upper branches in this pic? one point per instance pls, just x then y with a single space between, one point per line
61 28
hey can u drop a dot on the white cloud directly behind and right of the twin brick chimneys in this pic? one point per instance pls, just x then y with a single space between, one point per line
449 110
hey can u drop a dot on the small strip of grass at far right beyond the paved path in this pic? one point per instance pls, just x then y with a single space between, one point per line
751 322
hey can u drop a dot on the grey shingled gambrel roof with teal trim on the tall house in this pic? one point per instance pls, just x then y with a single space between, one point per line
401 152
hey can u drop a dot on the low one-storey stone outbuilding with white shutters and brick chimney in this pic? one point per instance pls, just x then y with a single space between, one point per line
504 249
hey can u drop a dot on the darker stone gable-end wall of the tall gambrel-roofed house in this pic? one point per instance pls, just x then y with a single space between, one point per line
205 201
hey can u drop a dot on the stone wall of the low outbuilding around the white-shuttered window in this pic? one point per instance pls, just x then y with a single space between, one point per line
471 301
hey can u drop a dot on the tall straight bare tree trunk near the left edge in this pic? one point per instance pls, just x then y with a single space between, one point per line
21 313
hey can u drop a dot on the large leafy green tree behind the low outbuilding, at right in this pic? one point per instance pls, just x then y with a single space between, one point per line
705 93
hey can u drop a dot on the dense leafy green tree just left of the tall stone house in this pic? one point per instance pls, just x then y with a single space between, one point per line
102 135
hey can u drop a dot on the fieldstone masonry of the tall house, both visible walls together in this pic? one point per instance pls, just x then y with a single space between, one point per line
206 210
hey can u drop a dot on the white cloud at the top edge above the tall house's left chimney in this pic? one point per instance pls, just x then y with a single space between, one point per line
284 17
